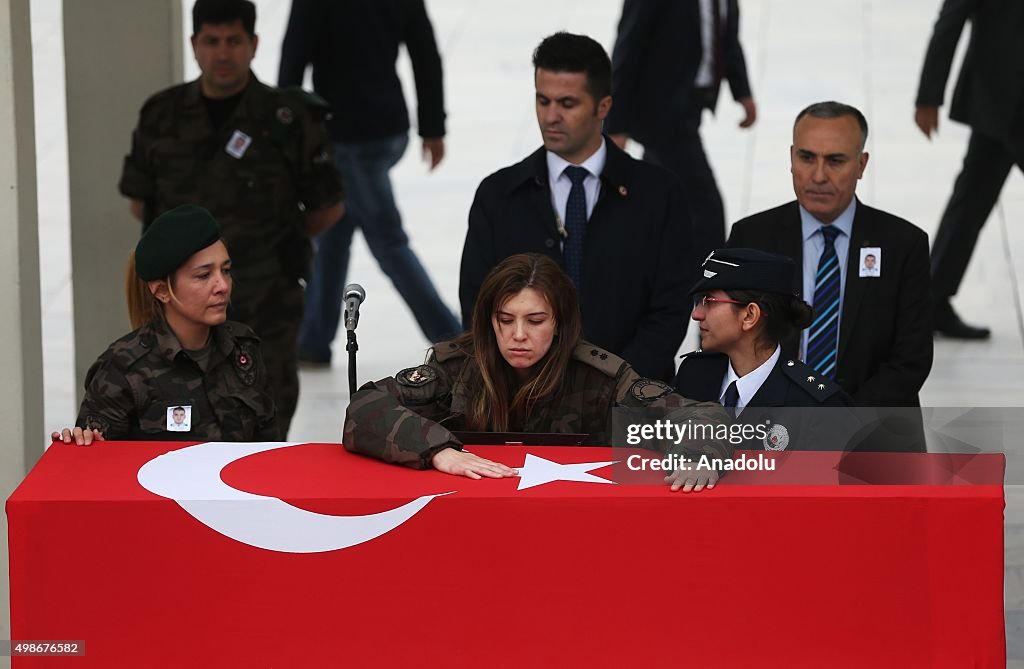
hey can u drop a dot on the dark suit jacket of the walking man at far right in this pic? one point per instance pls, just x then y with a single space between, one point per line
991 89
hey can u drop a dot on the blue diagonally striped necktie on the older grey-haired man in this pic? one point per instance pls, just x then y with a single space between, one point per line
823 342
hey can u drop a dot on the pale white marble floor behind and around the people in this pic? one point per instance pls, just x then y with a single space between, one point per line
866 53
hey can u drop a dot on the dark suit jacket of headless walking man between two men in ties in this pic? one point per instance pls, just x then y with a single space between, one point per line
657 57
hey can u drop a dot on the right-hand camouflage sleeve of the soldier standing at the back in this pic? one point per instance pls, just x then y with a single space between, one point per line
318 181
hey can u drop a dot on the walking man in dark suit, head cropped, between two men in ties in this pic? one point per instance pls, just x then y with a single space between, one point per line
669 63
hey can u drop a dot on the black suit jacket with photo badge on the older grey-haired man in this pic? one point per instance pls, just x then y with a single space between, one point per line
885 340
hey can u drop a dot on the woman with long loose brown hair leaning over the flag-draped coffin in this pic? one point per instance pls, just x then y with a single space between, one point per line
522 367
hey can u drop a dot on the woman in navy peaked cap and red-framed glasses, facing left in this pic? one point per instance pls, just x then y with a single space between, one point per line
745 308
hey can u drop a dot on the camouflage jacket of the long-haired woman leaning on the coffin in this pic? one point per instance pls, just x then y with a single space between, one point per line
407 420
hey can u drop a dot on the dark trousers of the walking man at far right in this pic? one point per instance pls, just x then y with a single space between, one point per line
987 166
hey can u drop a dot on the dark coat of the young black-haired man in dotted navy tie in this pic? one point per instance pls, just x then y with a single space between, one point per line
639 261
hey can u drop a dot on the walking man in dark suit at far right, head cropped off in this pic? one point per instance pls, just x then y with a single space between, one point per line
990 98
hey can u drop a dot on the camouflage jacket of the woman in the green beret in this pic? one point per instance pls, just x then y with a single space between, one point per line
132 391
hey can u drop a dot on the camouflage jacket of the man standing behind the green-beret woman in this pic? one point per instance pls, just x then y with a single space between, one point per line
257 174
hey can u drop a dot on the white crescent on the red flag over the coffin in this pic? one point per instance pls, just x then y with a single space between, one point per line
191 477
